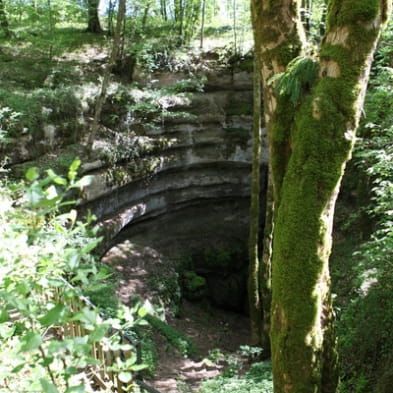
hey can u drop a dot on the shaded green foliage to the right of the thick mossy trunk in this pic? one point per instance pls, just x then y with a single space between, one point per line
365 324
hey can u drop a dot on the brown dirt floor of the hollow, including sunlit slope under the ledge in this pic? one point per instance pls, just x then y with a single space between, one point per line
213 331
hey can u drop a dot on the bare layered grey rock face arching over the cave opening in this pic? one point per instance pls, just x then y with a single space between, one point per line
197 195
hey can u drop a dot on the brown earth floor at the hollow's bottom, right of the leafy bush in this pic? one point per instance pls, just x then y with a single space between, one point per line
212 330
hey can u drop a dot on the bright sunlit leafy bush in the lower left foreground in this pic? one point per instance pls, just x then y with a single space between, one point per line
43 249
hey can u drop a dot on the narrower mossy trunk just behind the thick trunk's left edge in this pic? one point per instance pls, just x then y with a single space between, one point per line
271 63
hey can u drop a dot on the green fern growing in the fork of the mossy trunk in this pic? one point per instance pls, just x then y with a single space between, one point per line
299 75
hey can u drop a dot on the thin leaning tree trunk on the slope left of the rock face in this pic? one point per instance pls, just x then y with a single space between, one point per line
105 81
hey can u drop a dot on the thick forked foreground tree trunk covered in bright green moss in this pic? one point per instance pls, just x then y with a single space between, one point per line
310 143
